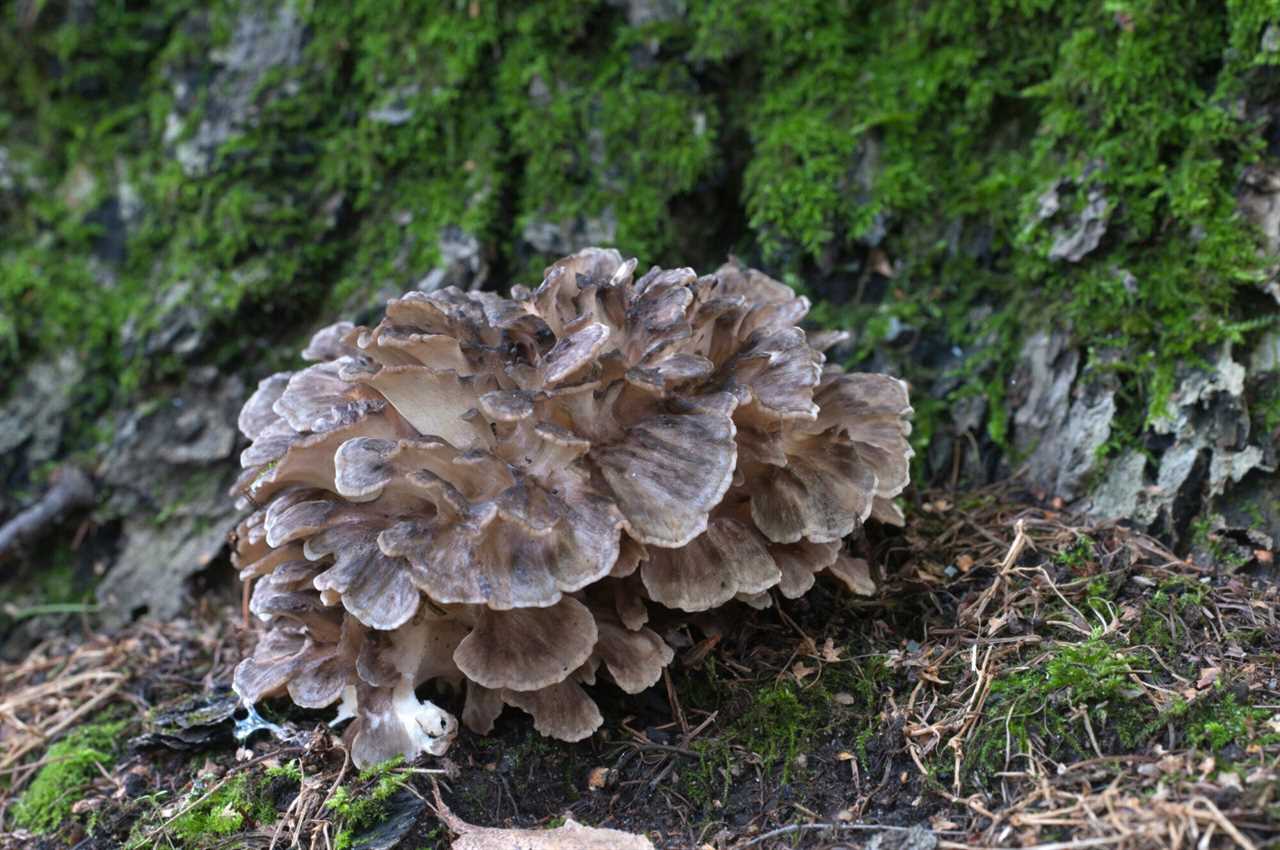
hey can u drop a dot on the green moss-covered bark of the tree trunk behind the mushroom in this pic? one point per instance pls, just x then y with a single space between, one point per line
964 171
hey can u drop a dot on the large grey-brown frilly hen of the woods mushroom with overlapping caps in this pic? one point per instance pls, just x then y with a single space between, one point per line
499 492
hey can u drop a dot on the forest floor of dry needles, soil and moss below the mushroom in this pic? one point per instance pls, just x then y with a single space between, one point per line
1022 679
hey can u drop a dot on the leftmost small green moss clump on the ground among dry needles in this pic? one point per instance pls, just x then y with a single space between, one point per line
72 766
